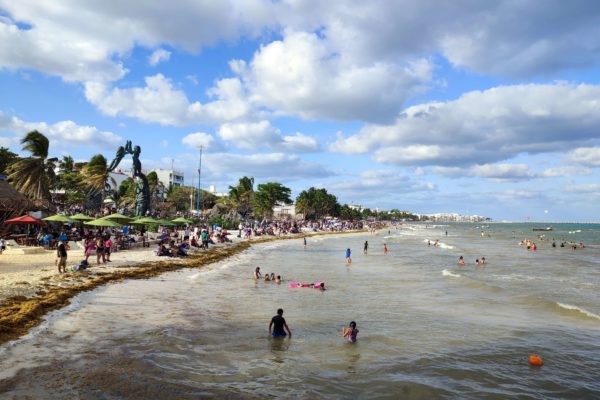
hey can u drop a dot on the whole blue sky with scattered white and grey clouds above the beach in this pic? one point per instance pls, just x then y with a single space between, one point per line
475 107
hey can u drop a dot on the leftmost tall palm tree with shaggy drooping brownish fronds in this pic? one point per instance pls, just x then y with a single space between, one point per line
34 175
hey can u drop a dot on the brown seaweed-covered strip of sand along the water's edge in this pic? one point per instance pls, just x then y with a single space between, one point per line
20 313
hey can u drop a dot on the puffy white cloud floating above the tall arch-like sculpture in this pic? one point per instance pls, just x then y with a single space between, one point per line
159 101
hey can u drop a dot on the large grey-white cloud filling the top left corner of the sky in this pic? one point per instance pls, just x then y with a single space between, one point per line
84 42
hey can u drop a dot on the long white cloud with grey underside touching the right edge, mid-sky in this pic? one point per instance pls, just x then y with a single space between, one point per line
483 127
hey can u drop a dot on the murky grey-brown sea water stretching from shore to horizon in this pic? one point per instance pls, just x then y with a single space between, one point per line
428 328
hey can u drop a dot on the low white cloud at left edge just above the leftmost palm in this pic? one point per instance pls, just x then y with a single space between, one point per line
61 133
